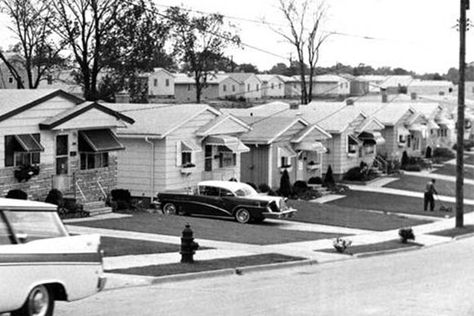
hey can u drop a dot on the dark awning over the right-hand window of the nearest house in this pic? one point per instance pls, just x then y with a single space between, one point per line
99 140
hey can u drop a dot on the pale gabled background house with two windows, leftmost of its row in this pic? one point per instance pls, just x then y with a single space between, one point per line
160 84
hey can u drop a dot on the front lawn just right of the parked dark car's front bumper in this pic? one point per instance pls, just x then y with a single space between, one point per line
348 215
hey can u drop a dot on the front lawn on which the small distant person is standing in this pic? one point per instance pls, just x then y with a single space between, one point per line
389 203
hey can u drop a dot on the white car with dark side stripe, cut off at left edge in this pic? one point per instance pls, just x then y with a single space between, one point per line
40 262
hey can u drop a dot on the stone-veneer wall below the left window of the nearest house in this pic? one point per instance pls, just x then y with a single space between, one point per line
37 187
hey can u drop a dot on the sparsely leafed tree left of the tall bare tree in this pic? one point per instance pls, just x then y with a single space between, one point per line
199 43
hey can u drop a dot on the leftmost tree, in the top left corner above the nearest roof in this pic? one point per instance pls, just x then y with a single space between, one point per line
38 52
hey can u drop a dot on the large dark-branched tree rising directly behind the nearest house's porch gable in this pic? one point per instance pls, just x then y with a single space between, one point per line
84 25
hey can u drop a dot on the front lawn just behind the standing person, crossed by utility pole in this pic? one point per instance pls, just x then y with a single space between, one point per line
418 184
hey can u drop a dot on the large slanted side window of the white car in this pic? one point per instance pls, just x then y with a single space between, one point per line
36 225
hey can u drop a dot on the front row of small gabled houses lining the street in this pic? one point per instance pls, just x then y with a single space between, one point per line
52 139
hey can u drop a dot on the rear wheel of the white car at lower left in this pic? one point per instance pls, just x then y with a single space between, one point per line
40 302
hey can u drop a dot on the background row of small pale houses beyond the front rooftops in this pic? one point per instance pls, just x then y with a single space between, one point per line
163 85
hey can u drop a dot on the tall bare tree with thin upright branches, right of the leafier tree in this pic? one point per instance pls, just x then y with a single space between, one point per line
304 19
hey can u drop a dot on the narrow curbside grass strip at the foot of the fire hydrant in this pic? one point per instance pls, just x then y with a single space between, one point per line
208 265
